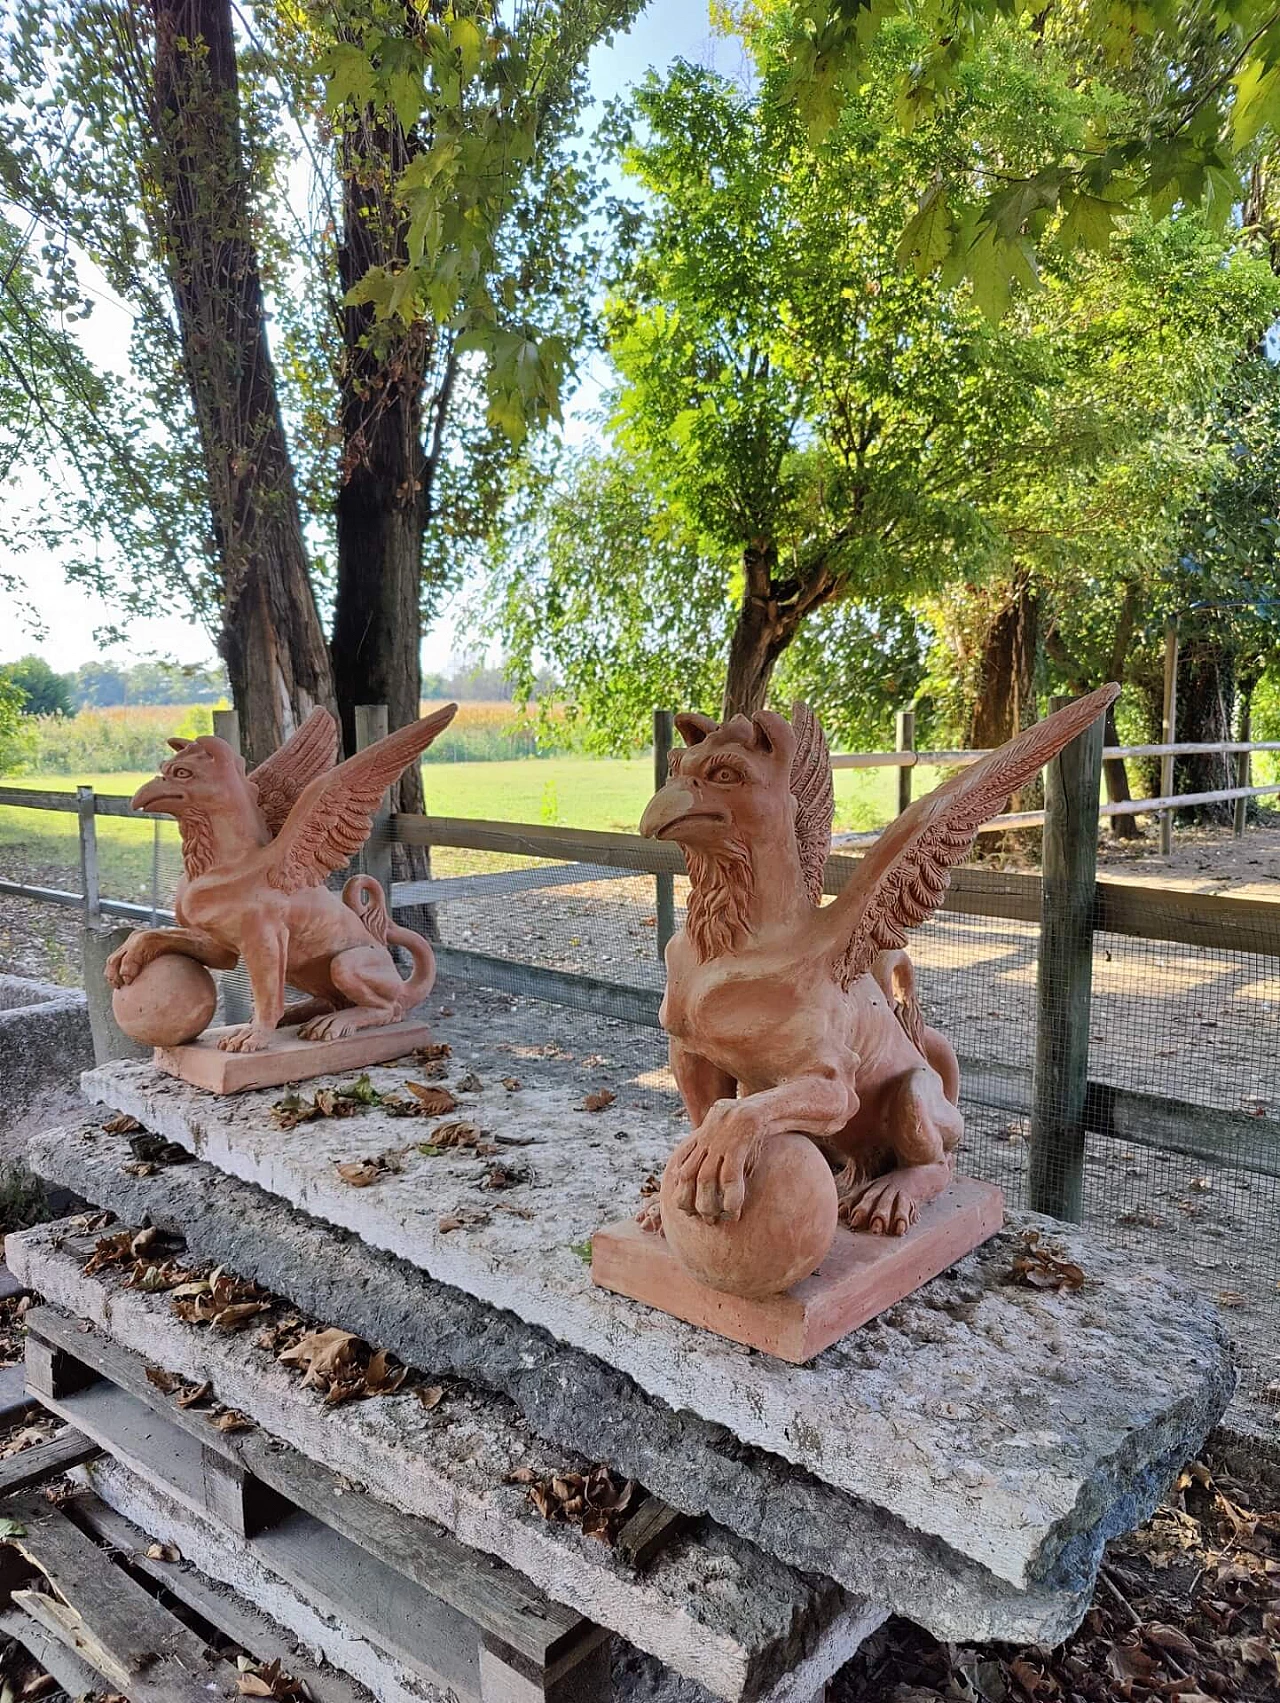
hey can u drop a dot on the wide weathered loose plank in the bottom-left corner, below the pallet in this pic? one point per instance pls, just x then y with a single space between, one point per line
108 1619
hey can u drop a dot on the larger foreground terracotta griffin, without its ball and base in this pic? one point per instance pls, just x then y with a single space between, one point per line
787 1014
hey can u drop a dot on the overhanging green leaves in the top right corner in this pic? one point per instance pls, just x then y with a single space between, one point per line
1186 96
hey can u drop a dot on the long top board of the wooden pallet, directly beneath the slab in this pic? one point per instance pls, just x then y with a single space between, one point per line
491 1593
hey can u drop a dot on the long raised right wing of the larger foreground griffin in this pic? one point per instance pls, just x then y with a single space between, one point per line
906 874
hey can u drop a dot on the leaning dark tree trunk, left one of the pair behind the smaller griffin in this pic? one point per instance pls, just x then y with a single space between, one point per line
271 639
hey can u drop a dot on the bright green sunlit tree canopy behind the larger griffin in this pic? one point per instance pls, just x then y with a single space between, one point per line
849 454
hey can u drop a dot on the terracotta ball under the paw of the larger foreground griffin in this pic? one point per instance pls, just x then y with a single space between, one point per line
786 1230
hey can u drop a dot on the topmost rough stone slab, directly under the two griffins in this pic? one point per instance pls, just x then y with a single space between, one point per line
1012 1423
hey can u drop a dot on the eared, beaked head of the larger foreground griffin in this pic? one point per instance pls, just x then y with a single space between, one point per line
733 781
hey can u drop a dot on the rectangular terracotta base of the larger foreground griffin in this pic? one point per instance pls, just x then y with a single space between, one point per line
860 1278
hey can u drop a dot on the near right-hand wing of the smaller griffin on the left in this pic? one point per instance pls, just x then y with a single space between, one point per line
334 815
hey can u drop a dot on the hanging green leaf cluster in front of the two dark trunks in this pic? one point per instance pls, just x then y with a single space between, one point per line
488 103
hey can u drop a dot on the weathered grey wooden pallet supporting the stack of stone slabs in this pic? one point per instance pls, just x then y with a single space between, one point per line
450 1615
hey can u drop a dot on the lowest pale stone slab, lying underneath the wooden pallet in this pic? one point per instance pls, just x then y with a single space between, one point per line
637 1678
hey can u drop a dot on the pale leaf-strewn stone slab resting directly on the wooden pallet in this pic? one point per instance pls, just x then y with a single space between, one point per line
711 1607
